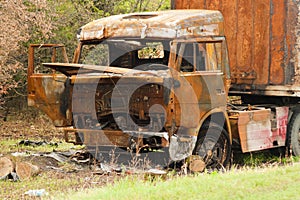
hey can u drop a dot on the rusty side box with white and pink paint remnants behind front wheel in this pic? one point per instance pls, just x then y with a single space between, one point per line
261 128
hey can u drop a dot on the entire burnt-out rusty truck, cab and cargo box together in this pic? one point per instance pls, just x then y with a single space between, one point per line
193 83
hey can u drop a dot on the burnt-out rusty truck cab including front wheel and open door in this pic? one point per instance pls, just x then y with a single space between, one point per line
142 82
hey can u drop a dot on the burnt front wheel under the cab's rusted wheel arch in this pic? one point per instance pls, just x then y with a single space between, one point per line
213 146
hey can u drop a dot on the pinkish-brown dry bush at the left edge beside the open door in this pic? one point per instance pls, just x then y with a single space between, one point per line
20 21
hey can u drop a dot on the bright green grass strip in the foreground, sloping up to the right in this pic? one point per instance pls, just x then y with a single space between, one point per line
266 183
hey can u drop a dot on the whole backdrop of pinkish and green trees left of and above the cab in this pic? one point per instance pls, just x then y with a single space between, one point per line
49 21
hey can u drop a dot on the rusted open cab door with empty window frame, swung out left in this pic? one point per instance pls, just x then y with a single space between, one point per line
48 92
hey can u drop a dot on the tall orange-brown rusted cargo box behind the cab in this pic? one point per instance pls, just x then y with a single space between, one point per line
263 43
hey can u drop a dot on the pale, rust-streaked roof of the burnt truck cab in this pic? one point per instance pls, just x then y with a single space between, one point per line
163 24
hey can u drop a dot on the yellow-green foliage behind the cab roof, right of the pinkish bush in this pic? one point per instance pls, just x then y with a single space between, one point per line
71 15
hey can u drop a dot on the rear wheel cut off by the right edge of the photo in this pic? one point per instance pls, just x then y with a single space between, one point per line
293 134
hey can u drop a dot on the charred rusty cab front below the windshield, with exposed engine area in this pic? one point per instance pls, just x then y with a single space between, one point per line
99 122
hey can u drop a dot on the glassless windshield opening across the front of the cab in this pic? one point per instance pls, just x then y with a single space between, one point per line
126 53
